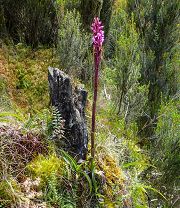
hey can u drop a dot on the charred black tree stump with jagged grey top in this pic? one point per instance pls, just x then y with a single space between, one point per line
71 105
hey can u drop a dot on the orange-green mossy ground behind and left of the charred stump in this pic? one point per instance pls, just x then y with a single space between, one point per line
24 72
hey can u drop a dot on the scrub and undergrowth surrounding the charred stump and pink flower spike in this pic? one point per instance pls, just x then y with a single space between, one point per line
137 159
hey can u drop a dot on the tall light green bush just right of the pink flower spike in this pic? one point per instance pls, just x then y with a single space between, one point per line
125 66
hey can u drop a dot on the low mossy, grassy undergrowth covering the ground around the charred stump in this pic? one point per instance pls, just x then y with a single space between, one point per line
34 172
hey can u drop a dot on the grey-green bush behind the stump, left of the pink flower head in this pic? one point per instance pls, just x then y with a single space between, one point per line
73 44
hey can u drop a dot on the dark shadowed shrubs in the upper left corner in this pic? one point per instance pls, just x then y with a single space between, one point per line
31 21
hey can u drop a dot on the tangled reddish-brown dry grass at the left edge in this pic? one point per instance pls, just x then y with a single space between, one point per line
17 149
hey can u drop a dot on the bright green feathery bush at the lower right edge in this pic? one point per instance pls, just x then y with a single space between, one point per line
165 151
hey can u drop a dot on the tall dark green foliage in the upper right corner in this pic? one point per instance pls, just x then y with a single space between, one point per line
156 21
